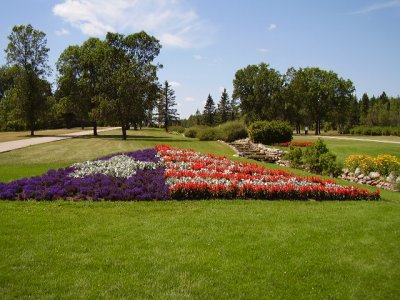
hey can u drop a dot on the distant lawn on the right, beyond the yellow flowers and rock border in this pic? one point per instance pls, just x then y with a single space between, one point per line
343 148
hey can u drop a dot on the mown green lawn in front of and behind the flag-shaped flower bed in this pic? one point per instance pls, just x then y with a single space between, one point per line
190 249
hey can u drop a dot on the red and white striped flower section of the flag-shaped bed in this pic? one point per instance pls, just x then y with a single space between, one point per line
192 175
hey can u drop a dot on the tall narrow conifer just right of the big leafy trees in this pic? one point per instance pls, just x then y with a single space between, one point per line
166 112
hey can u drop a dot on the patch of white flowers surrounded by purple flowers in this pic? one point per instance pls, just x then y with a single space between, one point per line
117 166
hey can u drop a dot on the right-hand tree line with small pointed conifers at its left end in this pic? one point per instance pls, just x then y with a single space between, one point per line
305 97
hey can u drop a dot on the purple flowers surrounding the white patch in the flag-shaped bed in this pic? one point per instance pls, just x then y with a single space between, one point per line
146 184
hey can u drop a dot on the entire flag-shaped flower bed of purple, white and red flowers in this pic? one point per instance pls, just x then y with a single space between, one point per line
171 173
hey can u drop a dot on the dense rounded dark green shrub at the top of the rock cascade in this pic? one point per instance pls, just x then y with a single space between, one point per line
270 132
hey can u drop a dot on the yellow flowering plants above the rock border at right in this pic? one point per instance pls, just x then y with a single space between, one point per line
384 164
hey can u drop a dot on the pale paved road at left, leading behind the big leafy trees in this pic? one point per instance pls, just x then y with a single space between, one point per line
12 145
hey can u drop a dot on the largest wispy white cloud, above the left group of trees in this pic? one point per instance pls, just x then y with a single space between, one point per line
169 20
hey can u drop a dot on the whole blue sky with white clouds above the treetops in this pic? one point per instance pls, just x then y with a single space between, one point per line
206 42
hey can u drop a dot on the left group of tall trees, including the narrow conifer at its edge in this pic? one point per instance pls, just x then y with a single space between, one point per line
112 81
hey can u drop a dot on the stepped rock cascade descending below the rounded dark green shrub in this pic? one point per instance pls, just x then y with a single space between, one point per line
259 152
